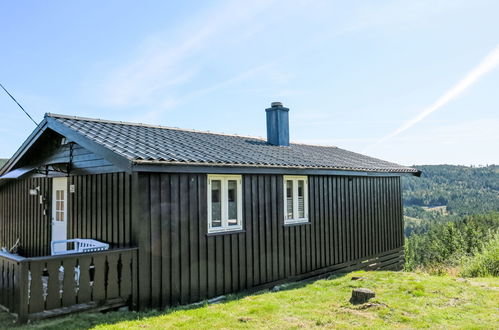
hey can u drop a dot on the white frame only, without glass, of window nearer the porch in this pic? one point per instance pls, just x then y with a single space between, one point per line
224 200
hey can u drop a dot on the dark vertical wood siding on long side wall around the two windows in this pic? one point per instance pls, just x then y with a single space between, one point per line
350 218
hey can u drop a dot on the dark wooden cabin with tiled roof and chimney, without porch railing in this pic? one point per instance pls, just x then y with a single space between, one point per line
209 213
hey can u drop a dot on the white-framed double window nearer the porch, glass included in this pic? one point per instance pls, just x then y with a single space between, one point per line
225 211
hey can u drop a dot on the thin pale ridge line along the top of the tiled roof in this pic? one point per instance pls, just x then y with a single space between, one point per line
119 122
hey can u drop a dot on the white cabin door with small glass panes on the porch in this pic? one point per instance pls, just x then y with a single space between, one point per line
59 212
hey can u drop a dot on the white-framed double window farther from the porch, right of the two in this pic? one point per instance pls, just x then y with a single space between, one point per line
295 199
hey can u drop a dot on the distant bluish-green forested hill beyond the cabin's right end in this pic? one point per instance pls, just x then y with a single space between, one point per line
451 190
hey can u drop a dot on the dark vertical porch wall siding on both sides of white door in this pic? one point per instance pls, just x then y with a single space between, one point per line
100 208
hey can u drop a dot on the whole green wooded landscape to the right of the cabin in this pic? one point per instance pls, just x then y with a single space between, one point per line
452 220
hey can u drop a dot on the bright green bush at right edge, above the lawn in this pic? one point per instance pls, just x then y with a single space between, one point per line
485 263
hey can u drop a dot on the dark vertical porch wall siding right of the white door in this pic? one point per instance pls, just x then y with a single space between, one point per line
100 208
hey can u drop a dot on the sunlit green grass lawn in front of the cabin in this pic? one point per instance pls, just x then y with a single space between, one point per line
403 300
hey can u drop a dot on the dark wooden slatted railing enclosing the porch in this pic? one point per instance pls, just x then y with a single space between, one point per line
41 287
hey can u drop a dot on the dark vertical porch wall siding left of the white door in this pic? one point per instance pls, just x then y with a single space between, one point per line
21 216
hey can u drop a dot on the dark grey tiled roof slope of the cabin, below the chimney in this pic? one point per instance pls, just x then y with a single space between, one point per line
163 145
